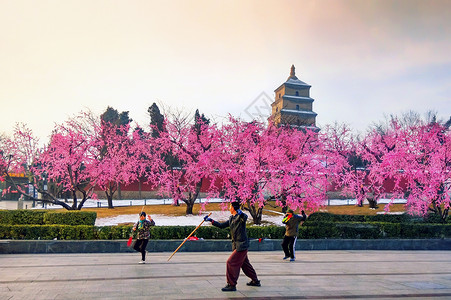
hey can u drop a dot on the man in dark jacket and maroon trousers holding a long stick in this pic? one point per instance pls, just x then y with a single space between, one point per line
240 244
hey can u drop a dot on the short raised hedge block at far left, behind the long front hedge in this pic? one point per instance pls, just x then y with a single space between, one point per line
39 217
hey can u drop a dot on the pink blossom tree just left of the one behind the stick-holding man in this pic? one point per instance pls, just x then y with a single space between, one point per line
186 148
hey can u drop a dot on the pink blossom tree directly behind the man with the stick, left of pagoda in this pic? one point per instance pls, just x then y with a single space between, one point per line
244 165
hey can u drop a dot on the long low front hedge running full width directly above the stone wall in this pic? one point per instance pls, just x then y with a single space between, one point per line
375 230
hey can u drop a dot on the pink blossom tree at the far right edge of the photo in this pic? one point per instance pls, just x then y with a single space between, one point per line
423 159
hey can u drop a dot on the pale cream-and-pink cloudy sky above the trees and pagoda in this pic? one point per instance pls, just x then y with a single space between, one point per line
364 59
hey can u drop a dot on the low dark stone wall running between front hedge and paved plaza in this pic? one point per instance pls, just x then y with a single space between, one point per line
120 246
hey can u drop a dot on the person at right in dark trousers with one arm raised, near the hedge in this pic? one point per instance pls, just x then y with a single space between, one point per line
291 222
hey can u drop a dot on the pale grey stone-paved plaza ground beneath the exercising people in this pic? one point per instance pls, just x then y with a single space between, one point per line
315 275
